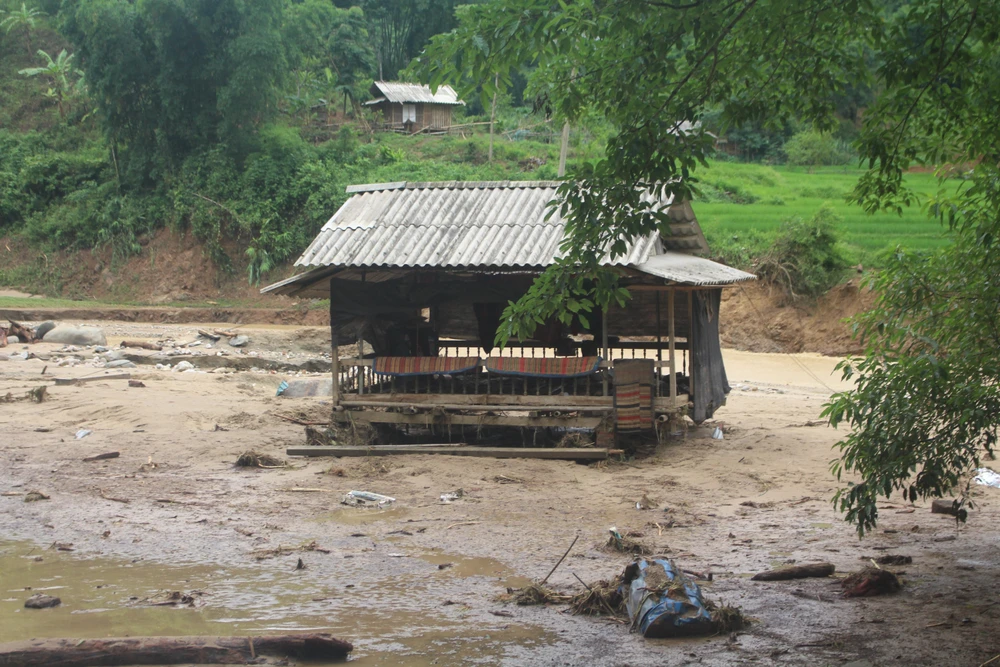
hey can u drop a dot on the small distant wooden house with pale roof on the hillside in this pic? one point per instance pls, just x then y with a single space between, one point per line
411 107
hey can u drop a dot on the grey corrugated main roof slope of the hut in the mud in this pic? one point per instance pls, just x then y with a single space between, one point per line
454 224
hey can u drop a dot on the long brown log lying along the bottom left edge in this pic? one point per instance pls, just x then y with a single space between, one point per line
169 650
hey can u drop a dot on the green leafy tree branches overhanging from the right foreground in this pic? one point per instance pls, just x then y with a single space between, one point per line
924 409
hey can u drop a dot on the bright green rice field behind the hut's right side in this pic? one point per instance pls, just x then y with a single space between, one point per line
744 204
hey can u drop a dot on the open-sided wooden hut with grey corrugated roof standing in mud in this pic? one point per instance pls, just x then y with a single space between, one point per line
422 272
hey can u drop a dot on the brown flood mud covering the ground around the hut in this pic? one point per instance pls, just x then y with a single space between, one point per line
172 513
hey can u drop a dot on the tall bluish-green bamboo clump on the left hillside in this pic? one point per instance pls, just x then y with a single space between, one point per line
170 76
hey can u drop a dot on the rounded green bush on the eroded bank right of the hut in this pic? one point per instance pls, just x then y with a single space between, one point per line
805 258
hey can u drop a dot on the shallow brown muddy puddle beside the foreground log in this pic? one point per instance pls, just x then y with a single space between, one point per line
407 614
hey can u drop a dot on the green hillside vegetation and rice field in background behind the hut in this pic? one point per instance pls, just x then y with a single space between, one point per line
241 122
